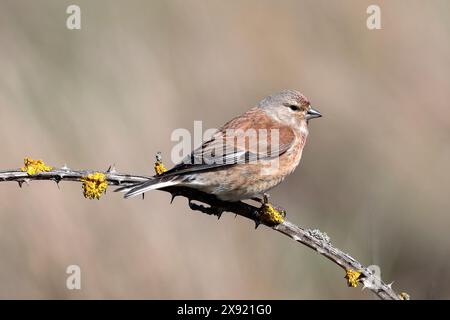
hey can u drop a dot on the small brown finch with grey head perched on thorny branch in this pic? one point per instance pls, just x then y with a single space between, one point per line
248 156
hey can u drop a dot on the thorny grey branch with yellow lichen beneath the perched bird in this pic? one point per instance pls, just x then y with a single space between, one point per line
314 239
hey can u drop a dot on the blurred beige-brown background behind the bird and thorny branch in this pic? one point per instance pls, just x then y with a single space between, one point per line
374 174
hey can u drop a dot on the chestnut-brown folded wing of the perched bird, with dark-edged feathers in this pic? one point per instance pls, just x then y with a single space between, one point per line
250 137
